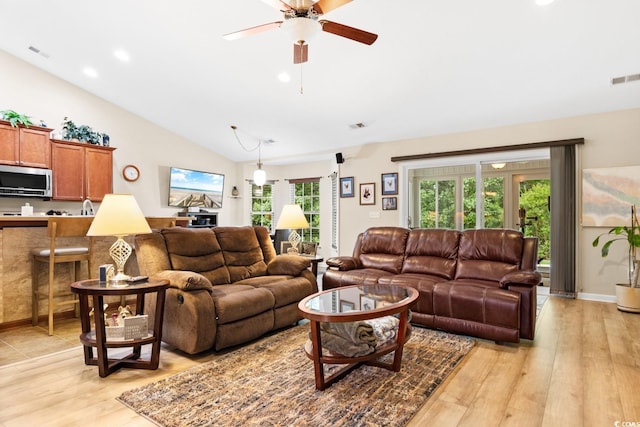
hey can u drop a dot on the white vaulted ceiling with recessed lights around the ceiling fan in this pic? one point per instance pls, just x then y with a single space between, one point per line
437 67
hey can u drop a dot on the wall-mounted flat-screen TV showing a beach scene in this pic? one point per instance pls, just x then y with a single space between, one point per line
191 188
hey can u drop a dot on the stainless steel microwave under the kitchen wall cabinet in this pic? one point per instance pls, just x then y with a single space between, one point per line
18 181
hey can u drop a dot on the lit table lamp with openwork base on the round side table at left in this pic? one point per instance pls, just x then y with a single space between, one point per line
119 215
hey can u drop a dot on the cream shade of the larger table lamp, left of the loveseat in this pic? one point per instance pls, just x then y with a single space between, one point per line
119 215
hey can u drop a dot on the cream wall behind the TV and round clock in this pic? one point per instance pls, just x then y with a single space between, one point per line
152 148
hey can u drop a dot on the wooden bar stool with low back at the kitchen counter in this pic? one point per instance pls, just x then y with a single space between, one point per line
58 227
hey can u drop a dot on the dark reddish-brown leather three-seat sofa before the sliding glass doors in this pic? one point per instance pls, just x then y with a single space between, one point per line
475 282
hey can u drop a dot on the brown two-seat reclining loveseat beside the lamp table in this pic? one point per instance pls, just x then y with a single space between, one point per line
227 285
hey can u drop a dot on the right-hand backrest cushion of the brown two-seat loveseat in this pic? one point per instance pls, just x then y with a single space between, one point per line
242 252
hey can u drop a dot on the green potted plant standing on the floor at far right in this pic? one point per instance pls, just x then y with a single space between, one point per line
627 294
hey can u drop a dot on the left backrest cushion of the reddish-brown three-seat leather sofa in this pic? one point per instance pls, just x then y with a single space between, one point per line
382 248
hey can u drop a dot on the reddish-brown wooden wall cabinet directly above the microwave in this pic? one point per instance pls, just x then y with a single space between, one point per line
22 146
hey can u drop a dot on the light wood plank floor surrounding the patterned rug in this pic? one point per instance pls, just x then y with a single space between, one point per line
583 369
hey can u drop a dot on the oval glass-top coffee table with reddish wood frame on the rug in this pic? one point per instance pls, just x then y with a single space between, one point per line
352 304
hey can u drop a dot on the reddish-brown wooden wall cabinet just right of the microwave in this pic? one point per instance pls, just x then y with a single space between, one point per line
81 171
